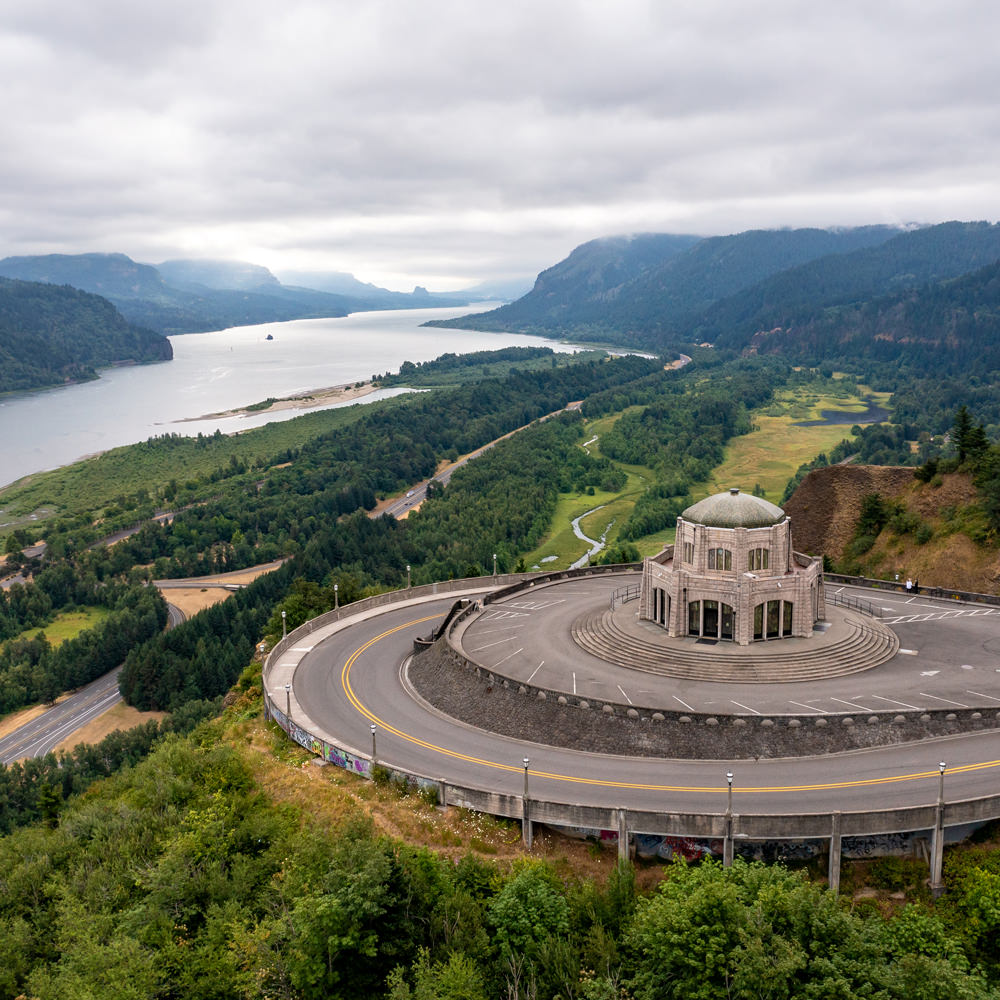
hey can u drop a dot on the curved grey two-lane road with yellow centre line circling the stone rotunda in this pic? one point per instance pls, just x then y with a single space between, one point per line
356 676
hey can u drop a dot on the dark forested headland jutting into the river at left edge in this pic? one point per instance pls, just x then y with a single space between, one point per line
52 333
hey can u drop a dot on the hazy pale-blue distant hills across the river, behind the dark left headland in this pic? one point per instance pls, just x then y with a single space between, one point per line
188 296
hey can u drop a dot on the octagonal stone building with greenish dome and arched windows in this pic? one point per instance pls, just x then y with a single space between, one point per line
732 575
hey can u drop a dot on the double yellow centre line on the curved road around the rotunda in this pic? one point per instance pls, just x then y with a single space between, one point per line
345 679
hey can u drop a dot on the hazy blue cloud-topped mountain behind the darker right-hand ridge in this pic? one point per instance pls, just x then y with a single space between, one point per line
649 289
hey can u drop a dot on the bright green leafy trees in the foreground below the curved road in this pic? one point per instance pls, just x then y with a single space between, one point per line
181 876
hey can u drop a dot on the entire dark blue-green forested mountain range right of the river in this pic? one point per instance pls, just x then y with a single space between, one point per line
811 295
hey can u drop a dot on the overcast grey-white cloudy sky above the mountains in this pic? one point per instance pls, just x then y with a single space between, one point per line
441 143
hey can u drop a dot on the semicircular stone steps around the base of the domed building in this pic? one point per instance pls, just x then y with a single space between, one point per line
863 644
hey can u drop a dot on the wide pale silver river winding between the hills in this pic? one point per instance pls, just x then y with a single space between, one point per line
213 372
